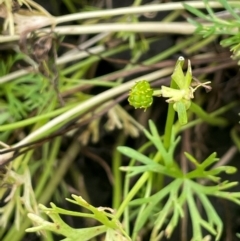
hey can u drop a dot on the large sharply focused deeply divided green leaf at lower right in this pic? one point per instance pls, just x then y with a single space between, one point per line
184 189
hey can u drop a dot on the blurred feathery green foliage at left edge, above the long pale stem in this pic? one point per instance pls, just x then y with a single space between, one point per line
22 95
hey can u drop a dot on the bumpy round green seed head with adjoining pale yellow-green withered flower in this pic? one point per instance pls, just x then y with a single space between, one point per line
180 94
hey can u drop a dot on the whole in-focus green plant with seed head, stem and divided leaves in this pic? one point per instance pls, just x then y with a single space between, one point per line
184 189
